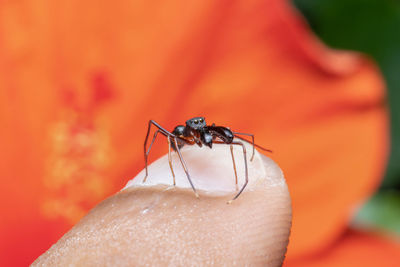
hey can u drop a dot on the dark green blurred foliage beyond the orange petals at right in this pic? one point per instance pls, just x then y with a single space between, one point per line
371 27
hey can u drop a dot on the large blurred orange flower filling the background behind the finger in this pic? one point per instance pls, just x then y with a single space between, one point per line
80 79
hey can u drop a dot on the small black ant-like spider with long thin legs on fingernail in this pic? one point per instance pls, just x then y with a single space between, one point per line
197 132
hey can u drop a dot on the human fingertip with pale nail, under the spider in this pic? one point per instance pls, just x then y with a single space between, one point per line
154 224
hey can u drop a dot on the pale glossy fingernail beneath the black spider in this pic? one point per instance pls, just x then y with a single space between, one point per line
211 170
